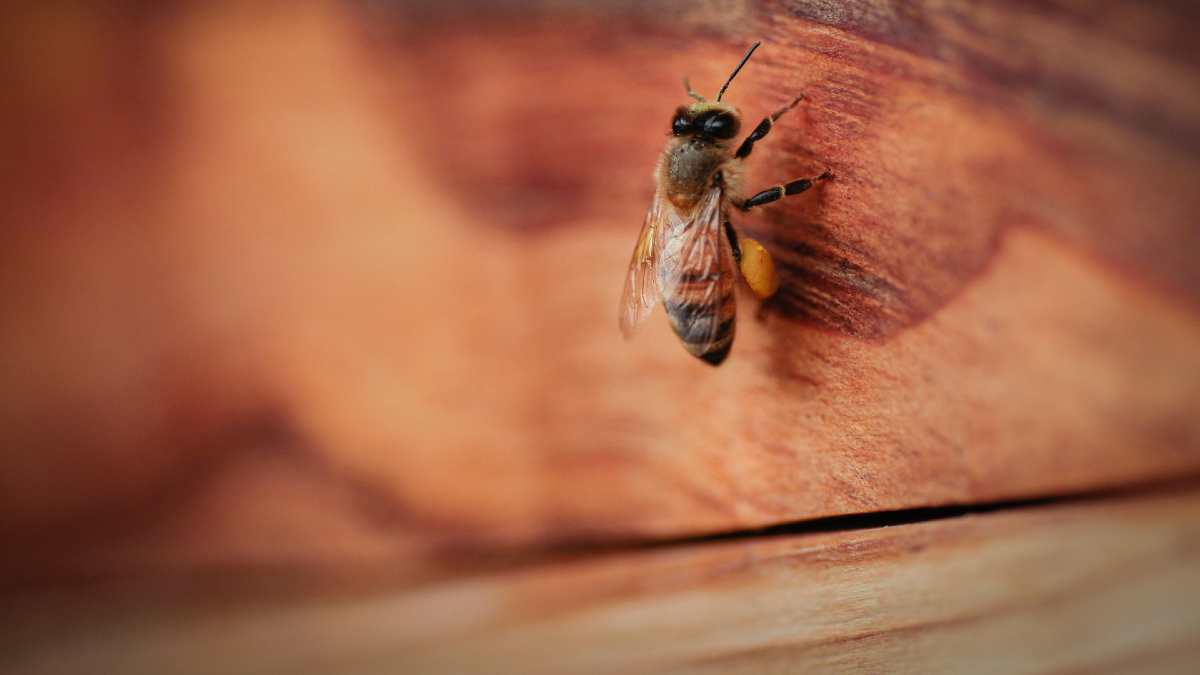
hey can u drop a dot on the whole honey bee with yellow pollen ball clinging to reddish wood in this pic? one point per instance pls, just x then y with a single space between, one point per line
688 250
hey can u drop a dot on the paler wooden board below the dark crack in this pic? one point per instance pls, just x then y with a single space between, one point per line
1107 587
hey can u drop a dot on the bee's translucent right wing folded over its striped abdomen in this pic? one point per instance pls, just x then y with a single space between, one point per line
701 280
